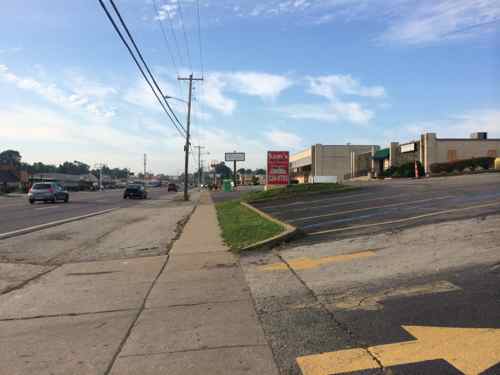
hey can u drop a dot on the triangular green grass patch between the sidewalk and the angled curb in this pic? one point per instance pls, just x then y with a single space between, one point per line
242 227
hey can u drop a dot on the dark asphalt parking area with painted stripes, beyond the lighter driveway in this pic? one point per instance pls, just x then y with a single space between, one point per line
381 206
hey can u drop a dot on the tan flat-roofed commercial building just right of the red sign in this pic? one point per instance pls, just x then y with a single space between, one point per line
327 163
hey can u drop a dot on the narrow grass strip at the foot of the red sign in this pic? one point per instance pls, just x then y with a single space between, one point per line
295 190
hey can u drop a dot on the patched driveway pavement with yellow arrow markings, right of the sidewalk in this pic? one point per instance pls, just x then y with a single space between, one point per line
420 301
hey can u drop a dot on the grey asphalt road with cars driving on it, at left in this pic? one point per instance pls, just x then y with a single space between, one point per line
17 213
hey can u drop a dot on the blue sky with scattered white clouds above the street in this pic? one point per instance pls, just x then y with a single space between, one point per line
278 75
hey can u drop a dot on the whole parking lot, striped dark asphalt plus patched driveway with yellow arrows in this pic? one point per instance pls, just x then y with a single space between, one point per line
397 277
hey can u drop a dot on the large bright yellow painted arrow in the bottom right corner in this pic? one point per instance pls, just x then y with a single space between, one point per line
470 350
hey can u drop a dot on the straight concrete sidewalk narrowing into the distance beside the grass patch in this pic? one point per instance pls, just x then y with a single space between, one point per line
199 318
